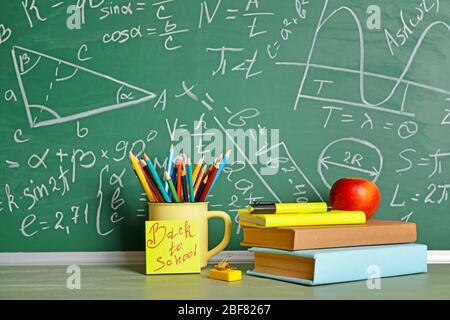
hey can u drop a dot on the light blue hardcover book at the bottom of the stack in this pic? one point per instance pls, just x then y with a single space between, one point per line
340 264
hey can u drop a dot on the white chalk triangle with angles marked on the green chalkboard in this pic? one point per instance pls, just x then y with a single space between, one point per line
56 91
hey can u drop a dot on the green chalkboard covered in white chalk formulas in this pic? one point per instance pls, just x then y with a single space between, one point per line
302 92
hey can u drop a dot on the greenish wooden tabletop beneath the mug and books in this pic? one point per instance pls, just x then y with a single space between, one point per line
130 282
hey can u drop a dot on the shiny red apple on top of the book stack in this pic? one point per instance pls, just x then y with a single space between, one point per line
355 194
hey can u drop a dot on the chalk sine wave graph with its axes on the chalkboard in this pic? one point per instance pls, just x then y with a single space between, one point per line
400 83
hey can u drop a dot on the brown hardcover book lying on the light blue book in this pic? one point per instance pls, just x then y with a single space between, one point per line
374 232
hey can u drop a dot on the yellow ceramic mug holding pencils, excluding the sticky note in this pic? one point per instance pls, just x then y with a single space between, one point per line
194 211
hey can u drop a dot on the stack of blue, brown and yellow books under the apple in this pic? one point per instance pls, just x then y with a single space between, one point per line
329 247
